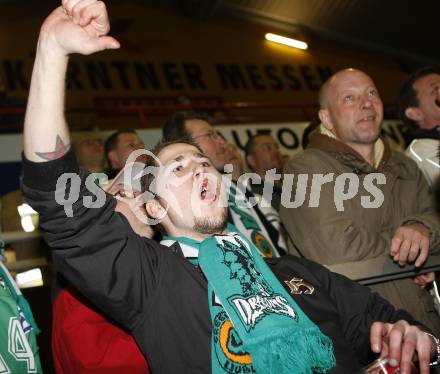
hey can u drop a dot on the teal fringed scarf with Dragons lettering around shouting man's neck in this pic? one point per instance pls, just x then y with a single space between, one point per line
256 326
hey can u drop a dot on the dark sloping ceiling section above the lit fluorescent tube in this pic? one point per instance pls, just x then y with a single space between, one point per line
404 28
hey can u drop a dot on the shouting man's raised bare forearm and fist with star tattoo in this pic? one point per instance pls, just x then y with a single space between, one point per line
77 26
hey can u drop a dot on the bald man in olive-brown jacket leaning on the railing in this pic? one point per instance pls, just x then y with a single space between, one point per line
402 224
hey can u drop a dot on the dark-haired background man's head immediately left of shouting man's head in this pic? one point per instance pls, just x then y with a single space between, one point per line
118 147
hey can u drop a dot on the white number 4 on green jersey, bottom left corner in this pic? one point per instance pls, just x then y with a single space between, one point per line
18 345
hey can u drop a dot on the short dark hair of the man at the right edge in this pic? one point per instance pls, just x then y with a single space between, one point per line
407 95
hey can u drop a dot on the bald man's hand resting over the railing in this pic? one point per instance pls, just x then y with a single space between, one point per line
410 243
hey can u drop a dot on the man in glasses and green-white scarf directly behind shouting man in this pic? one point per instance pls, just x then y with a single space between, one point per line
196 127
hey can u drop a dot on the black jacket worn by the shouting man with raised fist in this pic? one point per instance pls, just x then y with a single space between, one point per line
162 299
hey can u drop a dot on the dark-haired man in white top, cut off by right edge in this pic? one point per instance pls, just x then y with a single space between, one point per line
418 106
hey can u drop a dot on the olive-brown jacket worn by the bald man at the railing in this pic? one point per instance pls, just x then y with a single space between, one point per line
329 236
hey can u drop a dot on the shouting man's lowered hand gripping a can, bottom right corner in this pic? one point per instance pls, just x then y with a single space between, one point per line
399 342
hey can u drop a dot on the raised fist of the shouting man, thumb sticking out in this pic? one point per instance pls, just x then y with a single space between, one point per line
78 26
